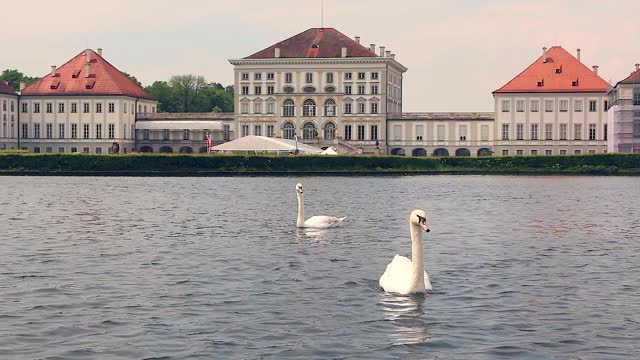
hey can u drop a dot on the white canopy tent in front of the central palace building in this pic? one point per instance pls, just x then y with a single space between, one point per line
263 144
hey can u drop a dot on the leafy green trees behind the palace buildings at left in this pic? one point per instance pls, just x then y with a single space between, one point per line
181 93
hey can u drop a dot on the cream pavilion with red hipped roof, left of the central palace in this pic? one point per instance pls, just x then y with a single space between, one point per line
85 105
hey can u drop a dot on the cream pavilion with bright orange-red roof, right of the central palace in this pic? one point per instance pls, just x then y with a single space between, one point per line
556 106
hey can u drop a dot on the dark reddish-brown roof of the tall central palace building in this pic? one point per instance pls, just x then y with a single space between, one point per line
315 43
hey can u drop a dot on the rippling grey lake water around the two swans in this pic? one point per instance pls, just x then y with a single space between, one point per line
203 268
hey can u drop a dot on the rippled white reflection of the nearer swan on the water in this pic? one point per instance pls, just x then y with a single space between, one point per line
407 318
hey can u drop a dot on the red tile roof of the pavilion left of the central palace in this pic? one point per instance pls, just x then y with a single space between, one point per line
71 79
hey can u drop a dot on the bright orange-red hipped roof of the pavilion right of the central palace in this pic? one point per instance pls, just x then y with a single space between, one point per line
561 73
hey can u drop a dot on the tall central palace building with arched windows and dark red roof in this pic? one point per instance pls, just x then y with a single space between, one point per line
321 86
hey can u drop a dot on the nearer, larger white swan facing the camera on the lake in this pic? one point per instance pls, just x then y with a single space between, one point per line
404 276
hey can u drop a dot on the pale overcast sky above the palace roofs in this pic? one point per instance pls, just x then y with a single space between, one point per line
457 51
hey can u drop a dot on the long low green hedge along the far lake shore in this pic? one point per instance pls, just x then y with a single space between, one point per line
589 164
